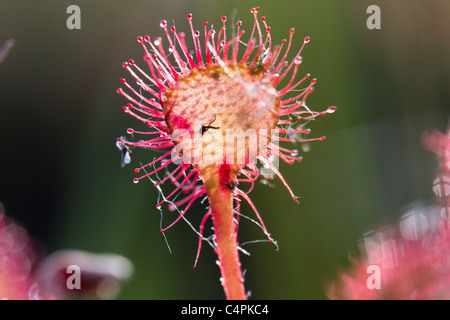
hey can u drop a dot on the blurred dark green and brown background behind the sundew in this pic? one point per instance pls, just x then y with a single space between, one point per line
60 173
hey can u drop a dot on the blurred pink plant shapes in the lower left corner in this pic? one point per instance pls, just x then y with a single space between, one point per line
25 274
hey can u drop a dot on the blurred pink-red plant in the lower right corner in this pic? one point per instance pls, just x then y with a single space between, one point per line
413 259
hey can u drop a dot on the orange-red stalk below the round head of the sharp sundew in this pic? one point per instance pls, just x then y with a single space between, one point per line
225 228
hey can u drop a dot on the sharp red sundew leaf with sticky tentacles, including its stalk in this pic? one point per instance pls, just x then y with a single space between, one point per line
218 114
